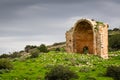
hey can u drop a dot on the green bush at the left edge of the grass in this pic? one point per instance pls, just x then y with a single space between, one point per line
5 64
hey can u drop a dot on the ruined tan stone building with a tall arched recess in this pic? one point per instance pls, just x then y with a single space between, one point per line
88 36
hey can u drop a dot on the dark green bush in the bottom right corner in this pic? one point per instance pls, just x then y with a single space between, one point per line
114 72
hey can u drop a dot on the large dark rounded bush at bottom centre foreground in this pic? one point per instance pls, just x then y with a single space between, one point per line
60 72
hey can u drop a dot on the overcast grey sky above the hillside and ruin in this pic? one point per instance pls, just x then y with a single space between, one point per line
33 22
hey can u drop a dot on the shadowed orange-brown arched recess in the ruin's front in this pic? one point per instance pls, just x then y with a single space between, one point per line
83 37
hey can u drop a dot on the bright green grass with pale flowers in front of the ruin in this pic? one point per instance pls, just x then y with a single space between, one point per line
88 67
